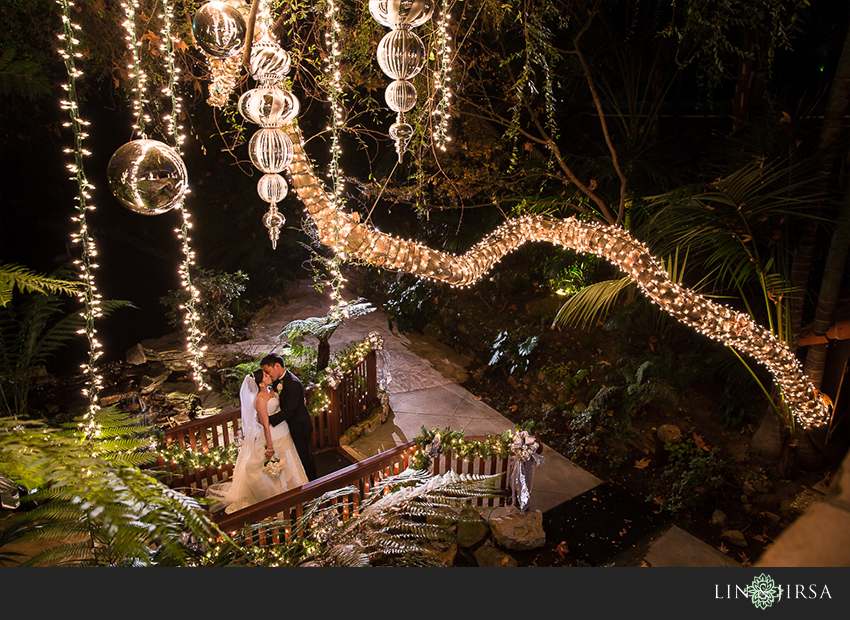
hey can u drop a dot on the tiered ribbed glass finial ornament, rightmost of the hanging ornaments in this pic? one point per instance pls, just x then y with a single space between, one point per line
401 56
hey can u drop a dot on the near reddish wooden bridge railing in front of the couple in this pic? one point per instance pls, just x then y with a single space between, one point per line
285 509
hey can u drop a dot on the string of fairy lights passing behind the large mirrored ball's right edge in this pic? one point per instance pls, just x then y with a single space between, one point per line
193 338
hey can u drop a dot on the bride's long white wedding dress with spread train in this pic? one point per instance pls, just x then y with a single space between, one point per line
249 484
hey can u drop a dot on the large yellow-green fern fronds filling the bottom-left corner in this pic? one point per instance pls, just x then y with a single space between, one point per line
92 504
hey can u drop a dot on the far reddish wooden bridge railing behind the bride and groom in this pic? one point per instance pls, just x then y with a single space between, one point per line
358 388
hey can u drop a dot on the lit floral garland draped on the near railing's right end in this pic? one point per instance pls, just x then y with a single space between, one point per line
433 443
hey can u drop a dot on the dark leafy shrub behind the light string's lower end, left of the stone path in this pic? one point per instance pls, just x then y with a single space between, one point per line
219 292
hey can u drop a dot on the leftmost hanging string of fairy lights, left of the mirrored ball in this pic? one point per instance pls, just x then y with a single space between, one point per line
89 295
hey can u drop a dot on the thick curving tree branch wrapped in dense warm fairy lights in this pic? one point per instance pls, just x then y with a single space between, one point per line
344 234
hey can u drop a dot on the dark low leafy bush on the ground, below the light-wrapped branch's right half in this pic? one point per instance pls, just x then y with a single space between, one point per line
691 476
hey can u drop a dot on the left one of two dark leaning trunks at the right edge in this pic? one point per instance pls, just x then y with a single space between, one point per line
831 134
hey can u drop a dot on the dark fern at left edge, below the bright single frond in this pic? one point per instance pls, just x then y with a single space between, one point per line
33 329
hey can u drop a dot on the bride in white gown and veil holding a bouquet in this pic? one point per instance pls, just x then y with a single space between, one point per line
261 442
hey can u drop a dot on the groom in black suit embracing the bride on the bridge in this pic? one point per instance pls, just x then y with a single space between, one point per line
293 409
